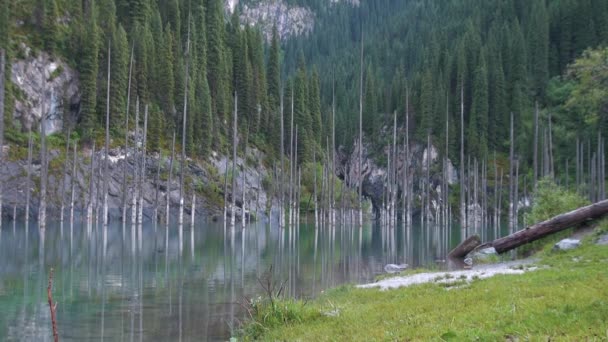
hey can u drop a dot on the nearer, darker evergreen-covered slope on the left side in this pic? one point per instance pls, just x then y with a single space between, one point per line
176 46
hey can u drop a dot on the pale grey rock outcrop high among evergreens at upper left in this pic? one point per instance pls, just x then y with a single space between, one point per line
44 82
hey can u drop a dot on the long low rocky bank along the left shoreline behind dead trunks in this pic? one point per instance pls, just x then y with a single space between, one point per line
204 180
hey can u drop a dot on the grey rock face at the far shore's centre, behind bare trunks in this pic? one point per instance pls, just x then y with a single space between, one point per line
375 176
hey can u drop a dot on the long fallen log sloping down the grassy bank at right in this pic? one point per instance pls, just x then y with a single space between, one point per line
550 226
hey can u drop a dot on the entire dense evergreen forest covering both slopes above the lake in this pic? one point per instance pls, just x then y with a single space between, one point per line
503 56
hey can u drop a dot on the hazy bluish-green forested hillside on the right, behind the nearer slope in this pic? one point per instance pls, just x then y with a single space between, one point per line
500 54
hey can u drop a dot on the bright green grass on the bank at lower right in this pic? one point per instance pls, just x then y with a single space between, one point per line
567 299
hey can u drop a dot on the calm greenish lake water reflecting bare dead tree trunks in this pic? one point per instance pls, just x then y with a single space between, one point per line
155 284
